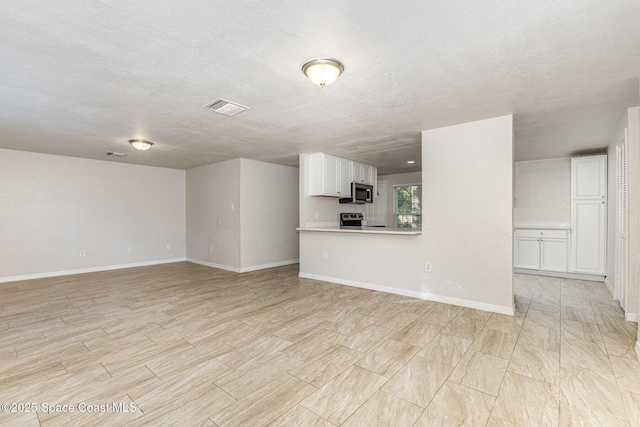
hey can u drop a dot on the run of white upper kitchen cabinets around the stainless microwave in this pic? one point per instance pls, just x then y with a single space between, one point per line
331 175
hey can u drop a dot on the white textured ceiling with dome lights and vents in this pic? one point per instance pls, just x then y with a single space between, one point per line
82 78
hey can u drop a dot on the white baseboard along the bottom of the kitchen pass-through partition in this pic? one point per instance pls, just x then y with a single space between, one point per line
413 294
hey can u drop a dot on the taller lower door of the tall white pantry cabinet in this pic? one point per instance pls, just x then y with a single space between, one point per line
588 236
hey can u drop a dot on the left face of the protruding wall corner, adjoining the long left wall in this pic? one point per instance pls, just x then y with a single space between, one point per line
213 214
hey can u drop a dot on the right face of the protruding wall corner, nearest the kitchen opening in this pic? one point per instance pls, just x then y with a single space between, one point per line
269 214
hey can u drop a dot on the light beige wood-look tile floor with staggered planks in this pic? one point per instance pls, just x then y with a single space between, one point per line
182 344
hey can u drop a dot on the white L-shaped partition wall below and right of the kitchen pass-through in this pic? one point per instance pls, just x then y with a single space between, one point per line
467 183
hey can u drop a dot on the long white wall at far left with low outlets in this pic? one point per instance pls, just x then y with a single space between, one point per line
53 207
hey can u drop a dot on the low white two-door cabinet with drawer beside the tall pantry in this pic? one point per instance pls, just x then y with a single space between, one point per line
538 249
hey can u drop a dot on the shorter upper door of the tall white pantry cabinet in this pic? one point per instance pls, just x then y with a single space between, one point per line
589 178
